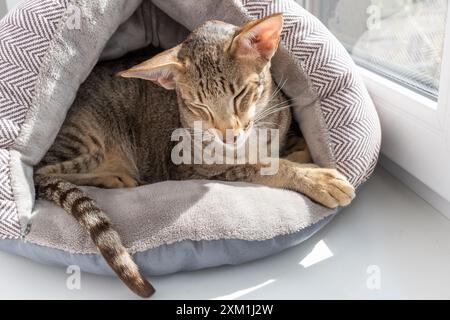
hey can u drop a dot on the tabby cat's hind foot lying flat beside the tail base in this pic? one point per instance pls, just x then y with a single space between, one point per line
110 180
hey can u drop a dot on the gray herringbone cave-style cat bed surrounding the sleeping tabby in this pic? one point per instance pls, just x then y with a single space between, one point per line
48 48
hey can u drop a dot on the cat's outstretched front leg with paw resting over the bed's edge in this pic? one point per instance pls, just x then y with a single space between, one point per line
326 186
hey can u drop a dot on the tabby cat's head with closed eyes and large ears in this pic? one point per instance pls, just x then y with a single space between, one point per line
221 73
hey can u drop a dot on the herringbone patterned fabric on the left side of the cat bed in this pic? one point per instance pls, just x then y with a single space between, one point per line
25 35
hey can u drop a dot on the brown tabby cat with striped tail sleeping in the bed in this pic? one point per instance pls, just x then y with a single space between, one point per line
117 132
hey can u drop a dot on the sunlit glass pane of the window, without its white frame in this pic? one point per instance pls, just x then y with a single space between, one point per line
398 39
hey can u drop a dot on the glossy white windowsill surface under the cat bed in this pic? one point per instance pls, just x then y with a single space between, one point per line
387 226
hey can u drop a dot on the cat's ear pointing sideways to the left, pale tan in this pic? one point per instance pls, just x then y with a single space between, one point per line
162 69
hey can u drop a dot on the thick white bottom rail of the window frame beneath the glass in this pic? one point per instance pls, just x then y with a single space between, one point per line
415 145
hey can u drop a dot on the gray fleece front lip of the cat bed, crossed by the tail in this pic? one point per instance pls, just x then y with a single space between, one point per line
172 211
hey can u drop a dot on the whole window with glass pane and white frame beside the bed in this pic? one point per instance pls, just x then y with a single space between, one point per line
402 48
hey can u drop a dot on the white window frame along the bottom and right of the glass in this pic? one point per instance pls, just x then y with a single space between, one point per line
415 128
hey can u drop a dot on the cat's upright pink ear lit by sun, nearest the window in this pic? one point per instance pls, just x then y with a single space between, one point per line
258 38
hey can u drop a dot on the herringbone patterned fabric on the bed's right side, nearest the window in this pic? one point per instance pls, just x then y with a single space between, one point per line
346 106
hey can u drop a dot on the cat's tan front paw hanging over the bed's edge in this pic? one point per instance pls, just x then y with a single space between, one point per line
328 187
